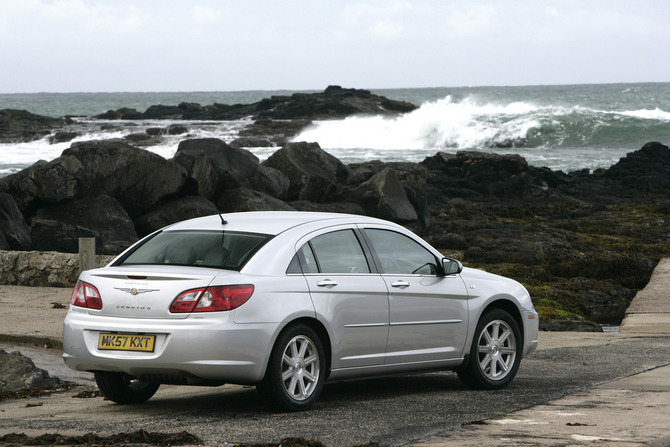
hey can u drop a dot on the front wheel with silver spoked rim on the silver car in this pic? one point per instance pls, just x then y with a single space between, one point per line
495 353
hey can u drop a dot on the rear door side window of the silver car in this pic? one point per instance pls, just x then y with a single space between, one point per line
338 252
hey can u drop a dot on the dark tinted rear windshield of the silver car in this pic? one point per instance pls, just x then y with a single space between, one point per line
218 249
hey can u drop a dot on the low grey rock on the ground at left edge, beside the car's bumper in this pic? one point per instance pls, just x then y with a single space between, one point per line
18 373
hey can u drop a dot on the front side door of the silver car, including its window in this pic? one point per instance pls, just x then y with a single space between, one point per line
427 312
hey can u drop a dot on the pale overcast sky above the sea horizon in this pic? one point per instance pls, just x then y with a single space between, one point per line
208 45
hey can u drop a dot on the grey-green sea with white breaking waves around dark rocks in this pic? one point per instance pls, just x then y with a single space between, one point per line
567 127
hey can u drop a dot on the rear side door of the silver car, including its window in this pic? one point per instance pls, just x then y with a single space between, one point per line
349 297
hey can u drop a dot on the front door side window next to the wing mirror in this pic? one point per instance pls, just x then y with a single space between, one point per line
401 255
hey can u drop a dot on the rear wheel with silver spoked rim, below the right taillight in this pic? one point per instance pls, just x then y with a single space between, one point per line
296 370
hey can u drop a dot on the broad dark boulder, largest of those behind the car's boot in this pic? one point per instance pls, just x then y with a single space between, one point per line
138 179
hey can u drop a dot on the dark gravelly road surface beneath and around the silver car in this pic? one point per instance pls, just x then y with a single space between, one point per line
391 411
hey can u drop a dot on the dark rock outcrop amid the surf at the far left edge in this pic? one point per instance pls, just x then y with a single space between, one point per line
19 125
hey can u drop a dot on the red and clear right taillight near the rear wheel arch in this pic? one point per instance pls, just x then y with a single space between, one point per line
212 299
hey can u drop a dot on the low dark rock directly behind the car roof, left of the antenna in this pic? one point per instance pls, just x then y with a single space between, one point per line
174 211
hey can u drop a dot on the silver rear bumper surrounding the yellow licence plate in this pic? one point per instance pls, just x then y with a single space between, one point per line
201 348
